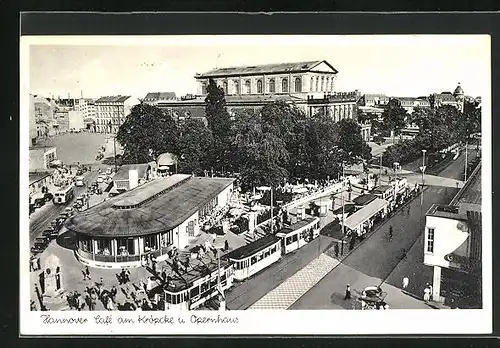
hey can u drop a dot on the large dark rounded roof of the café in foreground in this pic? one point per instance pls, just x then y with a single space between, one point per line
154 207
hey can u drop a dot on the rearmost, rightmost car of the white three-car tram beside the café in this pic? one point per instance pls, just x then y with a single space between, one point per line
299 234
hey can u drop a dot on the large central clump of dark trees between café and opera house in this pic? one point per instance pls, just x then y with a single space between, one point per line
266 147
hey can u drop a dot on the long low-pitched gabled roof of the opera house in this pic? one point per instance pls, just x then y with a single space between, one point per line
265 69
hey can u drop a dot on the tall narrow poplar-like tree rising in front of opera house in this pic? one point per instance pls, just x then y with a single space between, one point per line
219 122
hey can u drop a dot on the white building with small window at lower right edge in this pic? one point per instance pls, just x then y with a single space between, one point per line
453 236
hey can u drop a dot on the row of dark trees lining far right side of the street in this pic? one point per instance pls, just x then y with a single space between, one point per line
438 129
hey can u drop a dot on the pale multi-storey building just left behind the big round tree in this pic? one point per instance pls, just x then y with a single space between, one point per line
112 111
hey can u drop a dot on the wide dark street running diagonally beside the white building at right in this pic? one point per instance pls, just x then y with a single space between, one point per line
373 261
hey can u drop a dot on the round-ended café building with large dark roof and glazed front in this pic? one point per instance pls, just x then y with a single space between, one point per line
151 219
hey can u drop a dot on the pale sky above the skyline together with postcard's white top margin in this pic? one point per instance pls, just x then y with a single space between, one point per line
393 65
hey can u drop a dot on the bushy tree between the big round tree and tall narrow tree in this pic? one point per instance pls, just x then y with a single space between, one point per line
193 146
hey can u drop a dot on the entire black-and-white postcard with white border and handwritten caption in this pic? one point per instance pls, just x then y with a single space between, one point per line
228 179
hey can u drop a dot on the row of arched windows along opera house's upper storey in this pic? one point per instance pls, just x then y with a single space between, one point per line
318 84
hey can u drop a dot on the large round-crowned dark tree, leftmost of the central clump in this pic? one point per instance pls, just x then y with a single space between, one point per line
146 133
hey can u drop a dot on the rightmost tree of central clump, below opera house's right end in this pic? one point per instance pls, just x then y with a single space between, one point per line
351 141
